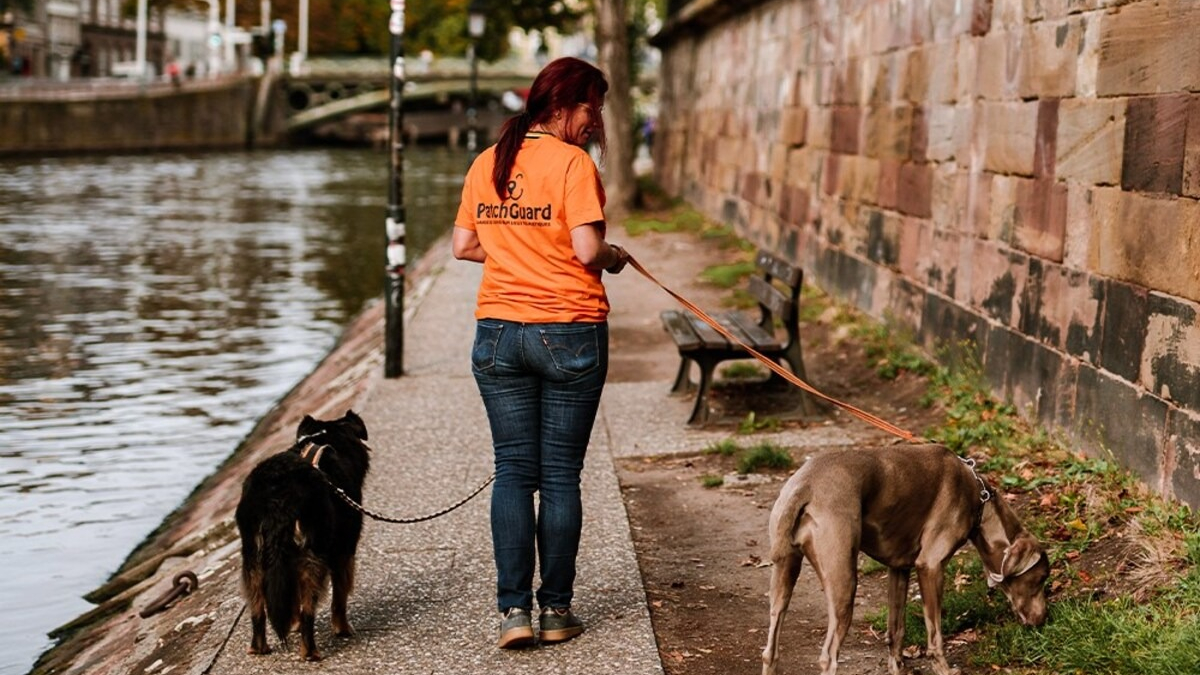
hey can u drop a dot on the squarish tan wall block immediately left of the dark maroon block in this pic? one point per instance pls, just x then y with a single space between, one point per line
1091 141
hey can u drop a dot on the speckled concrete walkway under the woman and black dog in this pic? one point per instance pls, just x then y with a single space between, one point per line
425 594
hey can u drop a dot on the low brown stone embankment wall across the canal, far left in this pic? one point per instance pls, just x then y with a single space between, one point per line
158 117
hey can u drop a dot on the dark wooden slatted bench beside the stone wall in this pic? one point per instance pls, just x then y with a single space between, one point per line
777 288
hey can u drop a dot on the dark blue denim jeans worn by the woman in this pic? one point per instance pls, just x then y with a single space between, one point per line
541 384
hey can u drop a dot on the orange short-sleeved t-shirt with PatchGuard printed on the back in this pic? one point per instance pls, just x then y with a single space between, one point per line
531 274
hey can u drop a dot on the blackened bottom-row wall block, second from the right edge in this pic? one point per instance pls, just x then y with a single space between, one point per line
1114 416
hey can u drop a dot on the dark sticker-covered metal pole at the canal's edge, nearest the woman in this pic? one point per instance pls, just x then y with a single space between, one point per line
394 321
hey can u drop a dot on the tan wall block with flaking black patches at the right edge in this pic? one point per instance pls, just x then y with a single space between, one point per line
1171 363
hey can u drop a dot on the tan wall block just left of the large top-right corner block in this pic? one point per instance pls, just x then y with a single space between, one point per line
1052 53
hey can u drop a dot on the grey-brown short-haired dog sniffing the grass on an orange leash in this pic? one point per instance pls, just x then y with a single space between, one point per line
909 507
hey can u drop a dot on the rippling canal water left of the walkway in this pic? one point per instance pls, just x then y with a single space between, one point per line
152 310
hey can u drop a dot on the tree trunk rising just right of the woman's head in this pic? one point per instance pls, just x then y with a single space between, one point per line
613 41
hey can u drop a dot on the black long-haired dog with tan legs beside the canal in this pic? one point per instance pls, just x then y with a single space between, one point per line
297 533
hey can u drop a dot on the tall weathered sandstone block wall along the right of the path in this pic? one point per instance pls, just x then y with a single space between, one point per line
1021 174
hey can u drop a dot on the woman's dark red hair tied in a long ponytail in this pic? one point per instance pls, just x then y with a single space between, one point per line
562 85
